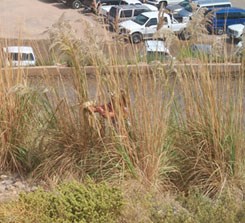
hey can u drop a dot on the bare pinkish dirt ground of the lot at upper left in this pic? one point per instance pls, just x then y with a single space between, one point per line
29 19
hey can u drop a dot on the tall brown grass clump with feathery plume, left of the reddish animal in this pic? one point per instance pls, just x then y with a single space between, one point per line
68 138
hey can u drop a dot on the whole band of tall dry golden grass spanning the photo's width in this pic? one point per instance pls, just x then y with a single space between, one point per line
182 130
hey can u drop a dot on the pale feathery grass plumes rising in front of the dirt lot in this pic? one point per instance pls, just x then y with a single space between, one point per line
77 52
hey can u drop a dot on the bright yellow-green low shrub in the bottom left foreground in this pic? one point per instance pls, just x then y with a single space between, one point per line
69 202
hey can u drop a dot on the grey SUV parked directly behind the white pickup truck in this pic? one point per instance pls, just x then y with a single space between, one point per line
121 13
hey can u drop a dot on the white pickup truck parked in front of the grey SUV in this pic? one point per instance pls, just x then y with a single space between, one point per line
144 26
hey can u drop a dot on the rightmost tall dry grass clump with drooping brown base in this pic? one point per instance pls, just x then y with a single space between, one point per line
210 134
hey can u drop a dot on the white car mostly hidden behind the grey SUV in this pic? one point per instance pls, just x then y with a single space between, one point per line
104 9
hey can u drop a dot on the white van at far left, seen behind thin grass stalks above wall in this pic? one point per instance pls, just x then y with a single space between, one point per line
19 56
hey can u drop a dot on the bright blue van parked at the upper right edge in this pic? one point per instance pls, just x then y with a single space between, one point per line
222 18
